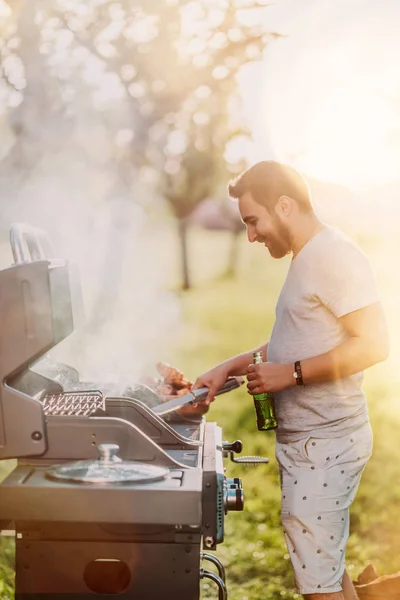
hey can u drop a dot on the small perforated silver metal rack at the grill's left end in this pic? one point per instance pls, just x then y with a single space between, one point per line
77 404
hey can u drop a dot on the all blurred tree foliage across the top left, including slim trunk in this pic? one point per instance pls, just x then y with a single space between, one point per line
170 66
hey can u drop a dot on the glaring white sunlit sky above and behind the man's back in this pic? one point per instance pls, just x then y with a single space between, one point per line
326 99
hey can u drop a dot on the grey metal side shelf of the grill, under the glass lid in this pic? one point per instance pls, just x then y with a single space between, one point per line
27 495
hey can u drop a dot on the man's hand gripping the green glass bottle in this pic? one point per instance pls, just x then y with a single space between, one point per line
269 377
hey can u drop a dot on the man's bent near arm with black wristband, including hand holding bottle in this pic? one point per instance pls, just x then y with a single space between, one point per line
367 344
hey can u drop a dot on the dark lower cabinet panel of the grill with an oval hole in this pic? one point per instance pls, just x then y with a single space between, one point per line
154 571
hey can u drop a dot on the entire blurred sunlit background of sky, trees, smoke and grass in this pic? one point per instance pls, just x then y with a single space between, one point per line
121 123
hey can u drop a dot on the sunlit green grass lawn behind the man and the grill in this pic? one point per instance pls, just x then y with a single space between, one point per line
223 317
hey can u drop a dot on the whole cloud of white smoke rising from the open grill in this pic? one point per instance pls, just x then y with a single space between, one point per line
111 230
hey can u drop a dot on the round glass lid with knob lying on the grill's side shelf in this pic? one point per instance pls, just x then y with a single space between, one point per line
108 468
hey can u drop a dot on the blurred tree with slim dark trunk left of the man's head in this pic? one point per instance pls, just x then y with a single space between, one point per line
178 61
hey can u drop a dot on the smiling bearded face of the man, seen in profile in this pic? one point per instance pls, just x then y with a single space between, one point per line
264 228
